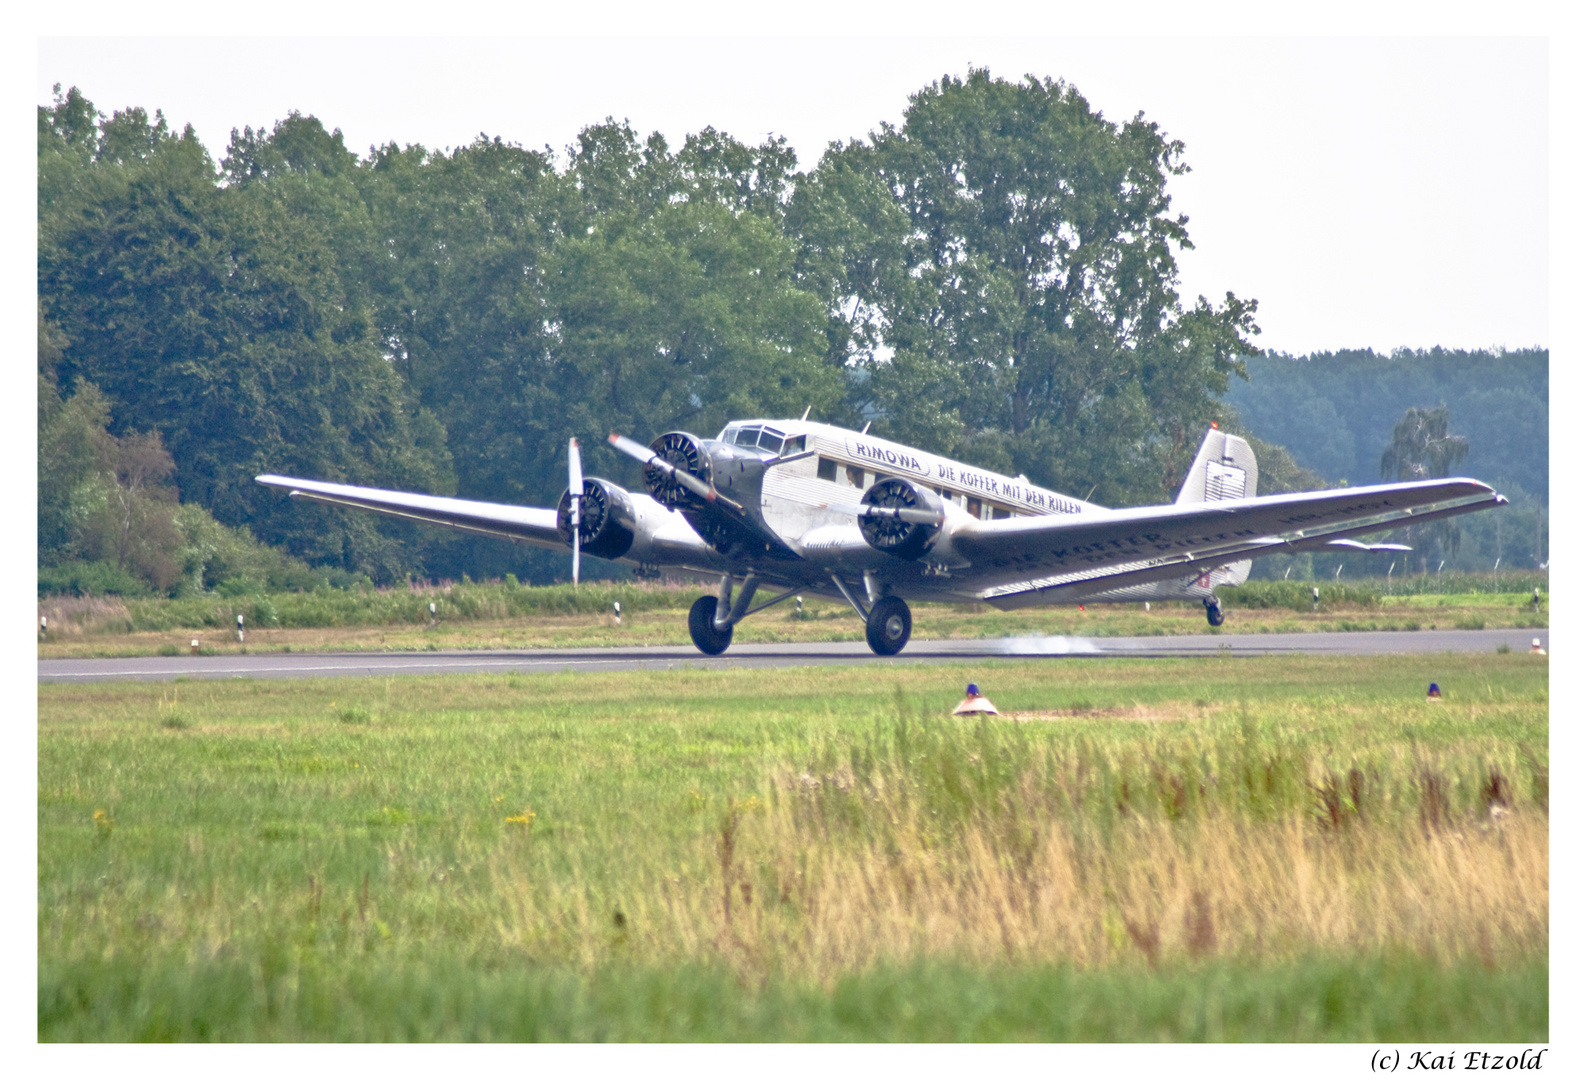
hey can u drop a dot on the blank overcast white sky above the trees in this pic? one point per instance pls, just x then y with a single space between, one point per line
1366 191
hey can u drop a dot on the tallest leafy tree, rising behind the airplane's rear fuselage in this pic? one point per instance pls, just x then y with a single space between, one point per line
1035 304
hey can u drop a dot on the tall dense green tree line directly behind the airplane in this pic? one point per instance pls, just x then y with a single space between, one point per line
993 279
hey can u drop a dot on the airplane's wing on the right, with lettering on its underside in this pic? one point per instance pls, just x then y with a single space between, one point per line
1054 558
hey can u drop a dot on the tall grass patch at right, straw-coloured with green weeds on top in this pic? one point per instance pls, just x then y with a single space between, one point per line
896 860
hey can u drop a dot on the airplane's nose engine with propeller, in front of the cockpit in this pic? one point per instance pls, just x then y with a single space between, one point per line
715 487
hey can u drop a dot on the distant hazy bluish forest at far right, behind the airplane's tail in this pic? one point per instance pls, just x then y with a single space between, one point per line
1335 414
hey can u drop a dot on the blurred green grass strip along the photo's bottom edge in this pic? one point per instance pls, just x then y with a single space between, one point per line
1325 1000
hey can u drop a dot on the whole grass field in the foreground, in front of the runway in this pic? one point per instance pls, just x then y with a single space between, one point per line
1276 849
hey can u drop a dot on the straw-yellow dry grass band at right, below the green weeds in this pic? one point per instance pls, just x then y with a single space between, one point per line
1157 893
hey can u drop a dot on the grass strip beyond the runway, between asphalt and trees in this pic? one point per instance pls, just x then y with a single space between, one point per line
507 615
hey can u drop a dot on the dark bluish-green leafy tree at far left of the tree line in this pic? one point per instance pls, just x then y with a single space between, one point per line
234 322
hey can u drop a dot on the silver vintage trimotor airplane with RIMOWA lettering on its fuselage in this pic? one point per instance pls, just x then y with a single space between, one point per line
806 507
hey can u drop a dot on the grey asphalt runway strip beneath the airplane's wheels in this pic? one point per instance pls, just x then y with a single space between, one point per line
801 655
